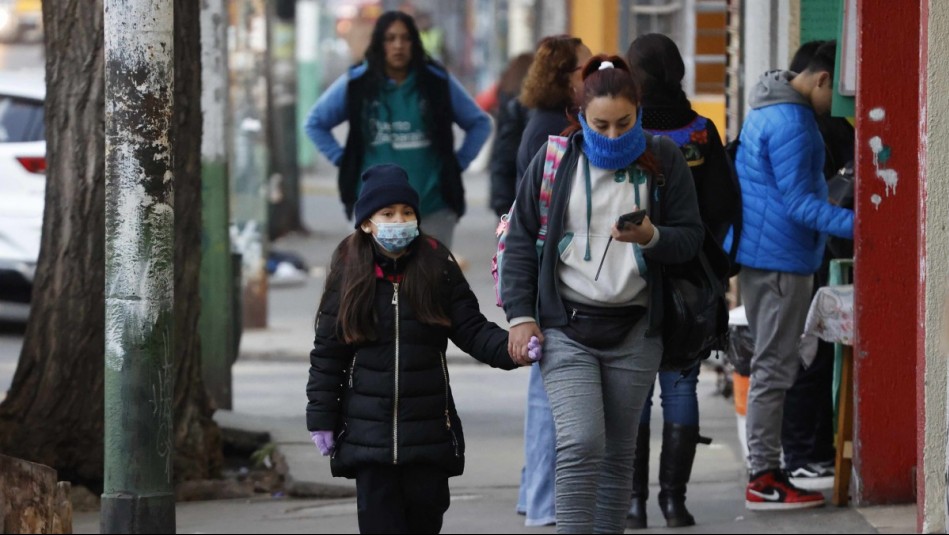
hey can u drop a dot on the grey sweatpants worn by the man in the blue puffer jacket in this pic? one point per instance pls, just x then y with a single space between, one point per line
776 304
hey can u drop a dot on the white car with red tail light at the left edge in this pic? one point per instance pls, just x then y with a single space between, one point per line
22 187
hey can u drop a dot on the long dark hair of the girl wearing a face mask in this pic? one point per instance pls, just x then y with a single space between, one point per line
352 273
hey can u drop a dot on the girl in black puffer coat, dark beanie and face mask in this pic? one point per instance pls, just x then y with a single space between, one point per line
379 400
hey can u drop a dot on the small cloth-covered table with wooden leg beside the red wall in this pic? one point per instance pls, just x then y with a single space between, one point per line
830 318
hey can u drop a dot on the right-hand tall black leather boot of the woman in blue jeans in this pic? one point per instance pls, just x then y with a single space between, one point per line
675 468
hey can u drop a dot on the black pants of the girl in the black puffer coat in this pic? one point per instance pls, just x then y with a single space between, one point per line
401 499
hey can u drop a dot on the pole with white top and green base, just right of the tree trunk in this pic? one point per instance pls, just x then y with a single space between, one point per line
216 322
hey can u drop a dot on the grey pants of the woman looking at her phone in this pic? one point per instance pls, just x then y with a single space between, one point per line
597 397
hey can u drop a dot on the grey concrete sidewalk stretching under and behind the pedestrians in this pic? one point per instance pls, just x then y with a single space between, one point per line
269 381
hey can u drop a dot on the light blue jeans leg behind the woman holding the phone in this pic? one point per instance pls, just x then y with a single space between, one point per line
536 496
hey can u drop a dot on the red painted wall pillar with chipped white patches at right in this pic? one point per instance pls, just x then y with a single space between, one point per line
887 272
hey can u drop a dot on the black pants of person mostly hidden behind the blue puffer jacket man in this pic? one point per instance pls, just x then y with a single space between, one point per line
807 433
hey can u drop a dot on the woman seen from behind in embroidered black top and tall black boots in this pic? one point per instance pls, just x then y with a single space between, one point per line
657 63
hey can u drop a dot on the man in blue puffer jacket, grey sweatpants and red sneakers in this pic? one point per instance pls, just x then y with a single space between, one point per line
786 219
